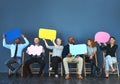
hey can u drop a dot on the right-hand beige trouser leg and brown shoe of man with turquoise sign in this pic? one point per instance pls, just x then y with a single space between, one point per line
79 62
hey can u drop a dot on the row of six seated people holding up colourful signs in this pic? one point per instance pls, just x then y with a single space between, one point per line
61 54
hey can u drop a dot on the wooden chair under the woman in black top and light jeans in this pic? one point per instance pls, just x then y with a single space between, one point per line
115 65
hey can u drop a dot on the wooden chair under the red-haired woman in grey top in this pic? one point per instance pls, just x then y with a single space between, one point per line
87 70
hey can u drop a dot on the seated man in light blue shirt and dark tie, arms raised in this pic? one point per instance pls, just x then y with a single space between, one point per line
16 53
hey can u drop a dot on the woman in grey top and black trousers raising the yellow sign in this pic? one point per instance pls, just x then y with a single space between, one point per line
56 55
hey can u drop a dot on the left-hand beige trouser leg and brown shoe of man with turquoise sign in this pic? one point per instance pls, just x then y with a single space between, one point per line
65 63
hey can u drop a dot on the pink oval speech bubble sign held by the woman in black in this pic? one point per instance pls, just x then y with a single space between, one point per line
102 37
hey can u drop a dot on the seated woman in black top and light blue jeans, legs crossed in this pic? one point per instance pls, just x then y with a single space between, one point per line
110 58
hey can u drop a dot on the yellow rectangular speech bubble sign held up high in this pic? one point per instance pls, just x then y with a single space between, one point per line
47 34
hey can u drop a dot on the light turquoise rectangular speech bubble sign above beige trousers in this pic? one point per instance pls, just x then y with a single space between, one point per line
78 49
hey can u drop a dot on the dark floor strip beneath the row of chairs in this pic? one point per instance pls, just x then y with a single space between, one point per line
4 79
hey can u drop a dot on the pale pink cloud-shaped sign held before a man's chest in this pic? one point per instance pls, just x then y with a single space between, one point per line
35 50
